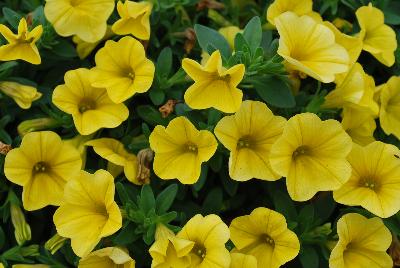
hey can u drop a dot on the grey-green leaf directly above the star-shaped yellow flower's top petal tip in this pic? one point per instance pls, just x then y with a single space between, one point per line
207 36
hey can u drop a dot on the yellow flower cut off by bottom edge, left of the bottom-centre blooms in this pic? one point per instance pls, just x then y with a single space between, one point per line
111 257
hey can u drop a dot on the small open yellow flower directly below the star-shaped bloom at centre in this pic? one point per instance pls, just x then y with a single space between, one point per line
180 149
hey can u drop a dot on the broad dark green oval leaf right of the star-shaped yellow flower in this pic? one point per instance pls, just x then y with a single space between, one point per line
274 91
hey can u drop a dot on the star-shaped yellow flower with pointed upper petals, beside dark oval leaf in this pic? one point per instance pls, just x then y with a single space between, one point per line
214 85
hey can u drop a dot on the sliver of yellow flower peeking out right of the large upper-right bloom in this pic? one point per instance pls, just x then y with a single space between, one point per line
352 44
